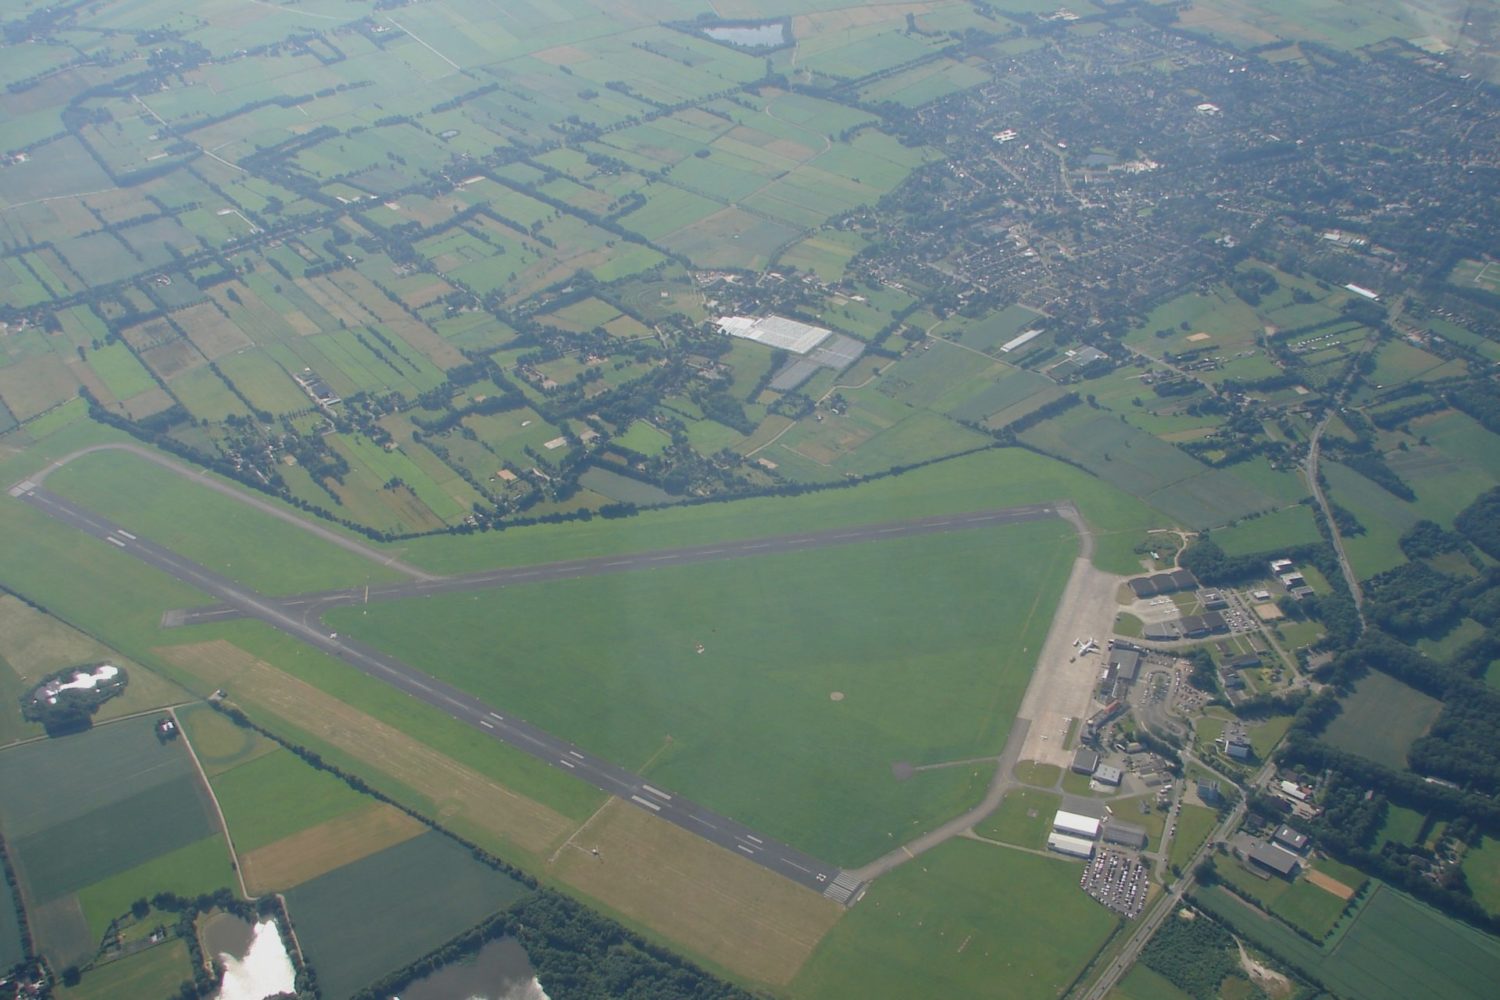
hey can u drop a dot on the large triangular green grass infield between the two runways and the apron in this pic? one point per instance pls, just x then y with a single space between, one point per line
928 641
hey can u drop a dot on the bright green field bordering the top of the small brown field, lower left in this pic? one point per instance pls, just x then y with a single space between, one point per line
278 795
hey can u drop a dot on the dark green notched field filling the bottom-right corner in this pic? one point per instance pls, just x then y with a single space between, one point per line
1394 950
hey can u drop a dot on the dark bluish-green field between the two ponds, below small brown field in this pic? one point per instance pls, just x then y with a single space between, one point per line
376 915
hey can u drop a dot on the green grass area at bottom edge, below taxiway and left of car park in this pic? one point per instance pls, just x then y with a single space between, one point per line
955 924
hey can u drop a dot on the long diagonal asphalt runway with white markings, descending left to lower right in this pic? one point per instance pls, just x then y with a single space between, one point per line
611 779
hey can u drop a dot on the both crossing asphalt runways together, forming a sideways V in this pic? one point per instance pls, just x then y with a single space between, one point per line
301 617
